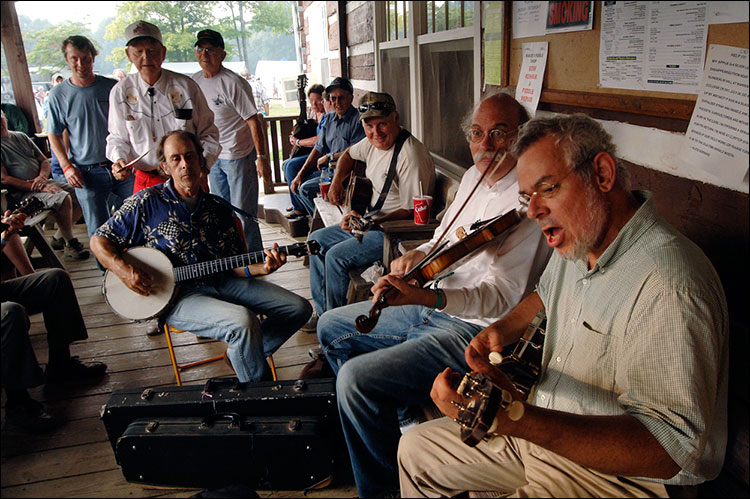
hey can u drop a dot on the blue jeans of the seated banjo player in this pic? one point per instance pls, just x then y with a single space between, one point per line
225 308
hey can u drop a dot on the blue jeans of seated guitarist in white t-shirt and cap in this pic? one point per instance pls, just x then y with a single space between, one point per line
339 252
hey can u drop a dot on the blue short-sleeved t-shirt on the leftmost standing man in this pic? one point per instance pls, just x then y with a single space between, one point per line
83 111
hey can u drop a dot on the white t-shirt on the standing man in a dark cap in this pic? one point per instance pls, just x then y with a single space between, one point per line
230 97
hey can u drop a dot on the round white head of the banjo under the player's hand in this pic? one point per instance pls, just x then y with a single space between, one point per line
129 304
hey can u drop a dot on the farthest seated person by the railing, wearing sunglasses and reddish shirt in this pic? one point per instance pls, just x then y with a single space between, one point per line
320 105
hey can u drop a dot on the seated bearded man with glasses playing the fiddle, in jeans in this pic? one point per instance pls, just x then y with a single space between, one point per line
384 377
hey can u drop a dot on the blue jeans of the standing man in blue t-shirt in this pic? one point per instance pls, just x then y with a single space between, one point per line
94 197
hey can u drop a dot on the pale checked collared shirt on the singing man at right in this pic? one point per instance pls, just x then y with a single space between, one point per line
643 333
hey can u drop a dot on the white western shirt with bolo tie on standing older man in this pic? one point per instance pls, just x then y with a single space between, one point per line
133 129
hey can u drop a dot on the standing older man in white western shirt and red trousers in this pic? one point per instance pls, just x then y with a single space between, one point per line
146 105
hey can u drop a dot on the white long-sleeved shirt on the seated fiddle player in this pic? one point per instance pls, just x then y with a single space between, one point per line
497 276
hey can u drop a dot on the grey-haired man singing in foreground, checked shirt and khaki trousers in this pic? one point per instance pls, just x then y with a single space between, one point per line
633 389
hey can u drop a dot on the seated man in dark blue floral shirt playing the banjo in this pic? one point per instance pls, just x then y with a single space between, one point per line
189 226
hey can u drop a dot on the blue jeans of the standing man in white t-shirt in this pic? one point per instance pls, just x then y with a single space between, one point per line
236 181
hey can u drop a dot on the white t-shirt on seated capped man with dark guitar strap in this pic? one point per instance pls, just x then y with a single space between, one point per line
414 165
